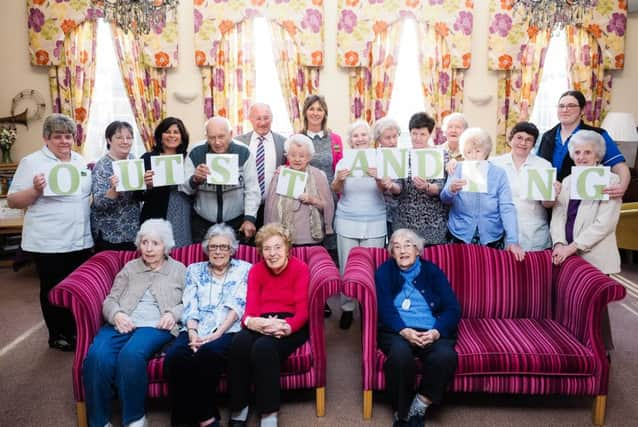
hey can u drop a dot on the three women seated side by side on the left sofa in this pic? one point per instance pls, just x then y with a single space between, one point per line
225 314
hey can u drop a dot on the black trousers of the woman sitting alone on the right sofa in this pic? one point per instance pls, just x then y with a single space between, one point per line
439 361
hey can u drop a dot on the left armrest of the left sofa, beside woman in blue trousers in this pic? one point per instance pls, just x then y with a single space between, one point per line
83 292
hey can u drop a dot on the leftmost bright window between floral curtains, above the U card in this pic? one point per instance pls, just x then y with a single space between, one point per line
110 101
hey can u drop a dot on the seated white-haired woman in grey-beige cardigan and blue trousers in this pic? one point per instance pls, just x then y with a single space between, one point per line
141 312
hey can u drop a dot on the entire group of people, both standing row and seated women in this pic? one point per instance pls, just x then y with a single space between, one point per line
263 305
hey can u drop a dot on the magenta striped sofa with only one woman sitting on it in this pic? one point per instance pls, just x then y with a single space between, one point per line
526 327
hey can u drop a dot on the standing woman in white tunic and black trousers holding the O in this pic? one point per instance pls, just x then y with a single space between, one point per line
57 229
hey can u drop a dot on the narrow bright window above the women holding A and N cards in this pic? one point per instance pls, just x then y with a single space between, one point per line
405 100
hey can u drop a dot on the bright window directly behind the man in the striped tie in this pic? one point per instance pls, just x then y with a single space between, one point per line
267 85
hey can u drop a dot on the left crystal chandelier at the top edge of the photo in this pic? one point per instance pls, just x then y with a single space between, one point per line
137 16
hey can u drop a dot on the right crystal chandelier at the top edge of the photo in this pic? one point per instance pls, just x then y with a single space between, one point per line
553 14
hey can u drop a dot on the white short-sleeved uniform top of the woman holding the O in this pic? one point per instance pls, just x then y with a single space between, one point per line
54 224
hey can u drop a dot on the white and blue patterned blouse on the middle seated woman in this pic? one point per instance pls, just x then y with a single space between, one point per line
208 300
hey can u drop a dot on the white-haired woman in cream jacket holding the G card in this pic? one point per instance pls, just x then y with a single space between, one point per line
587 227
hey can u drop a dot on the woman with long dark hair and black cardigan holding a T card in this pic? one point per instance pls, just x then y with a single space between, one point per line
171 137
